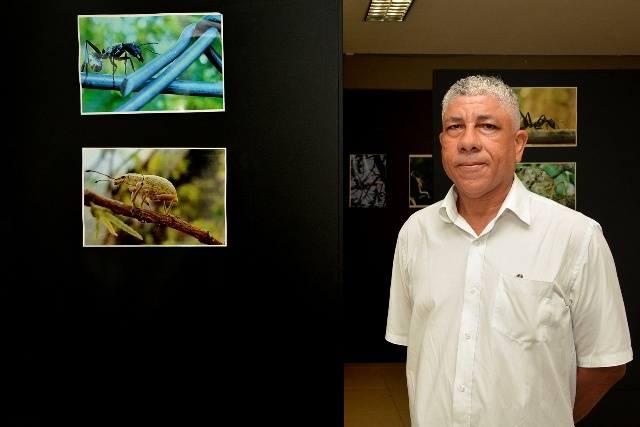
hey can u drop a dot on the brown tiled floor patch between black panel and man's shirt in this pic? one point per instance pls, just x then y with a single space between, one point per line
375 395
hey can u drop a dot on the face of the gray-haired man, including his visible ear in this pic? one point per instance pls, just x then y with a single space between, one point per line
480 147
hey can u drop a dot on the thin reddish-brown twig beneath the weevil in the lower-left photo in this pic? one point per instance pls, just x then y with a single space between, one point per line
146 215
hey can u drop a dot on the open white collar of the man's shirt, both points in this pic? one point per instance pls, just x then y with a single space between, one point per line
517 201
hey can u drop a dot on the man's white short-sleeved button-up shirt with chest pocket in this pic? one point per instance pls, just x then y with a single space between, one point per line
495 324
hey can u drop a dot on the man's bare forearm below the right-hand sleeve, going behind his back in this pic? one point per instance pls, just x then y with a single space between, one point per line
591 385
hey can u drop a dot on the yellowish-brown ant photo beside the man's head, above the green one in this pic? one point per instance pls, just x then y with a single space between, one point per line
549 115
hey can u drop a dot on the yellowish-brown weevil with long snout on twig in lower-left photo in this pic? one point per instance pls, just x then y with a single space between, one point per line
152 187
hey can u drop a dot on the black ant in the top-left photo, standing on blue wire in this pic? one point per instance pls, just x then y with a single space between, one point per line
116 52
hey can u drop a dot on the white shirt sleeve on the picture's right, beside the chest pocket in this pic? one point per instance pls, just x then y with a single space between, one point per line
600 327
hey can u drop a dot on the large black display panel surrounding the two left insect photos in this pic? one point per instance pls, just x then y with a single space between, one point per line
196 333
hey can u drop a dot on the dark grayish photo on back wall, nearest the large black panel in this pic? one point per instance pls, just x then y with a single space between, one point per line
367 184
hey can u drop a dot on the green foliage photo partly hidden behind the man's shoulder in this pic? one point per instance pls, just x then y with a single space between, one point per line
555 181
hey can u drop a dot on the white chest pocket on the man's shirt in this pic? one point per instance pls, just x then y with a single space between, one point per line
522 308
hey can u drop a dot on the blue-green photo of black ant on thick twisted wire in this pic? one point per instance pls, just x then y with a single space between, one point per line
150 63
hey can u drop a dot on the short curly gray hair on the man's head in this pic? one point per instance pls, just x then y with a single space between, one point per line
489 86
